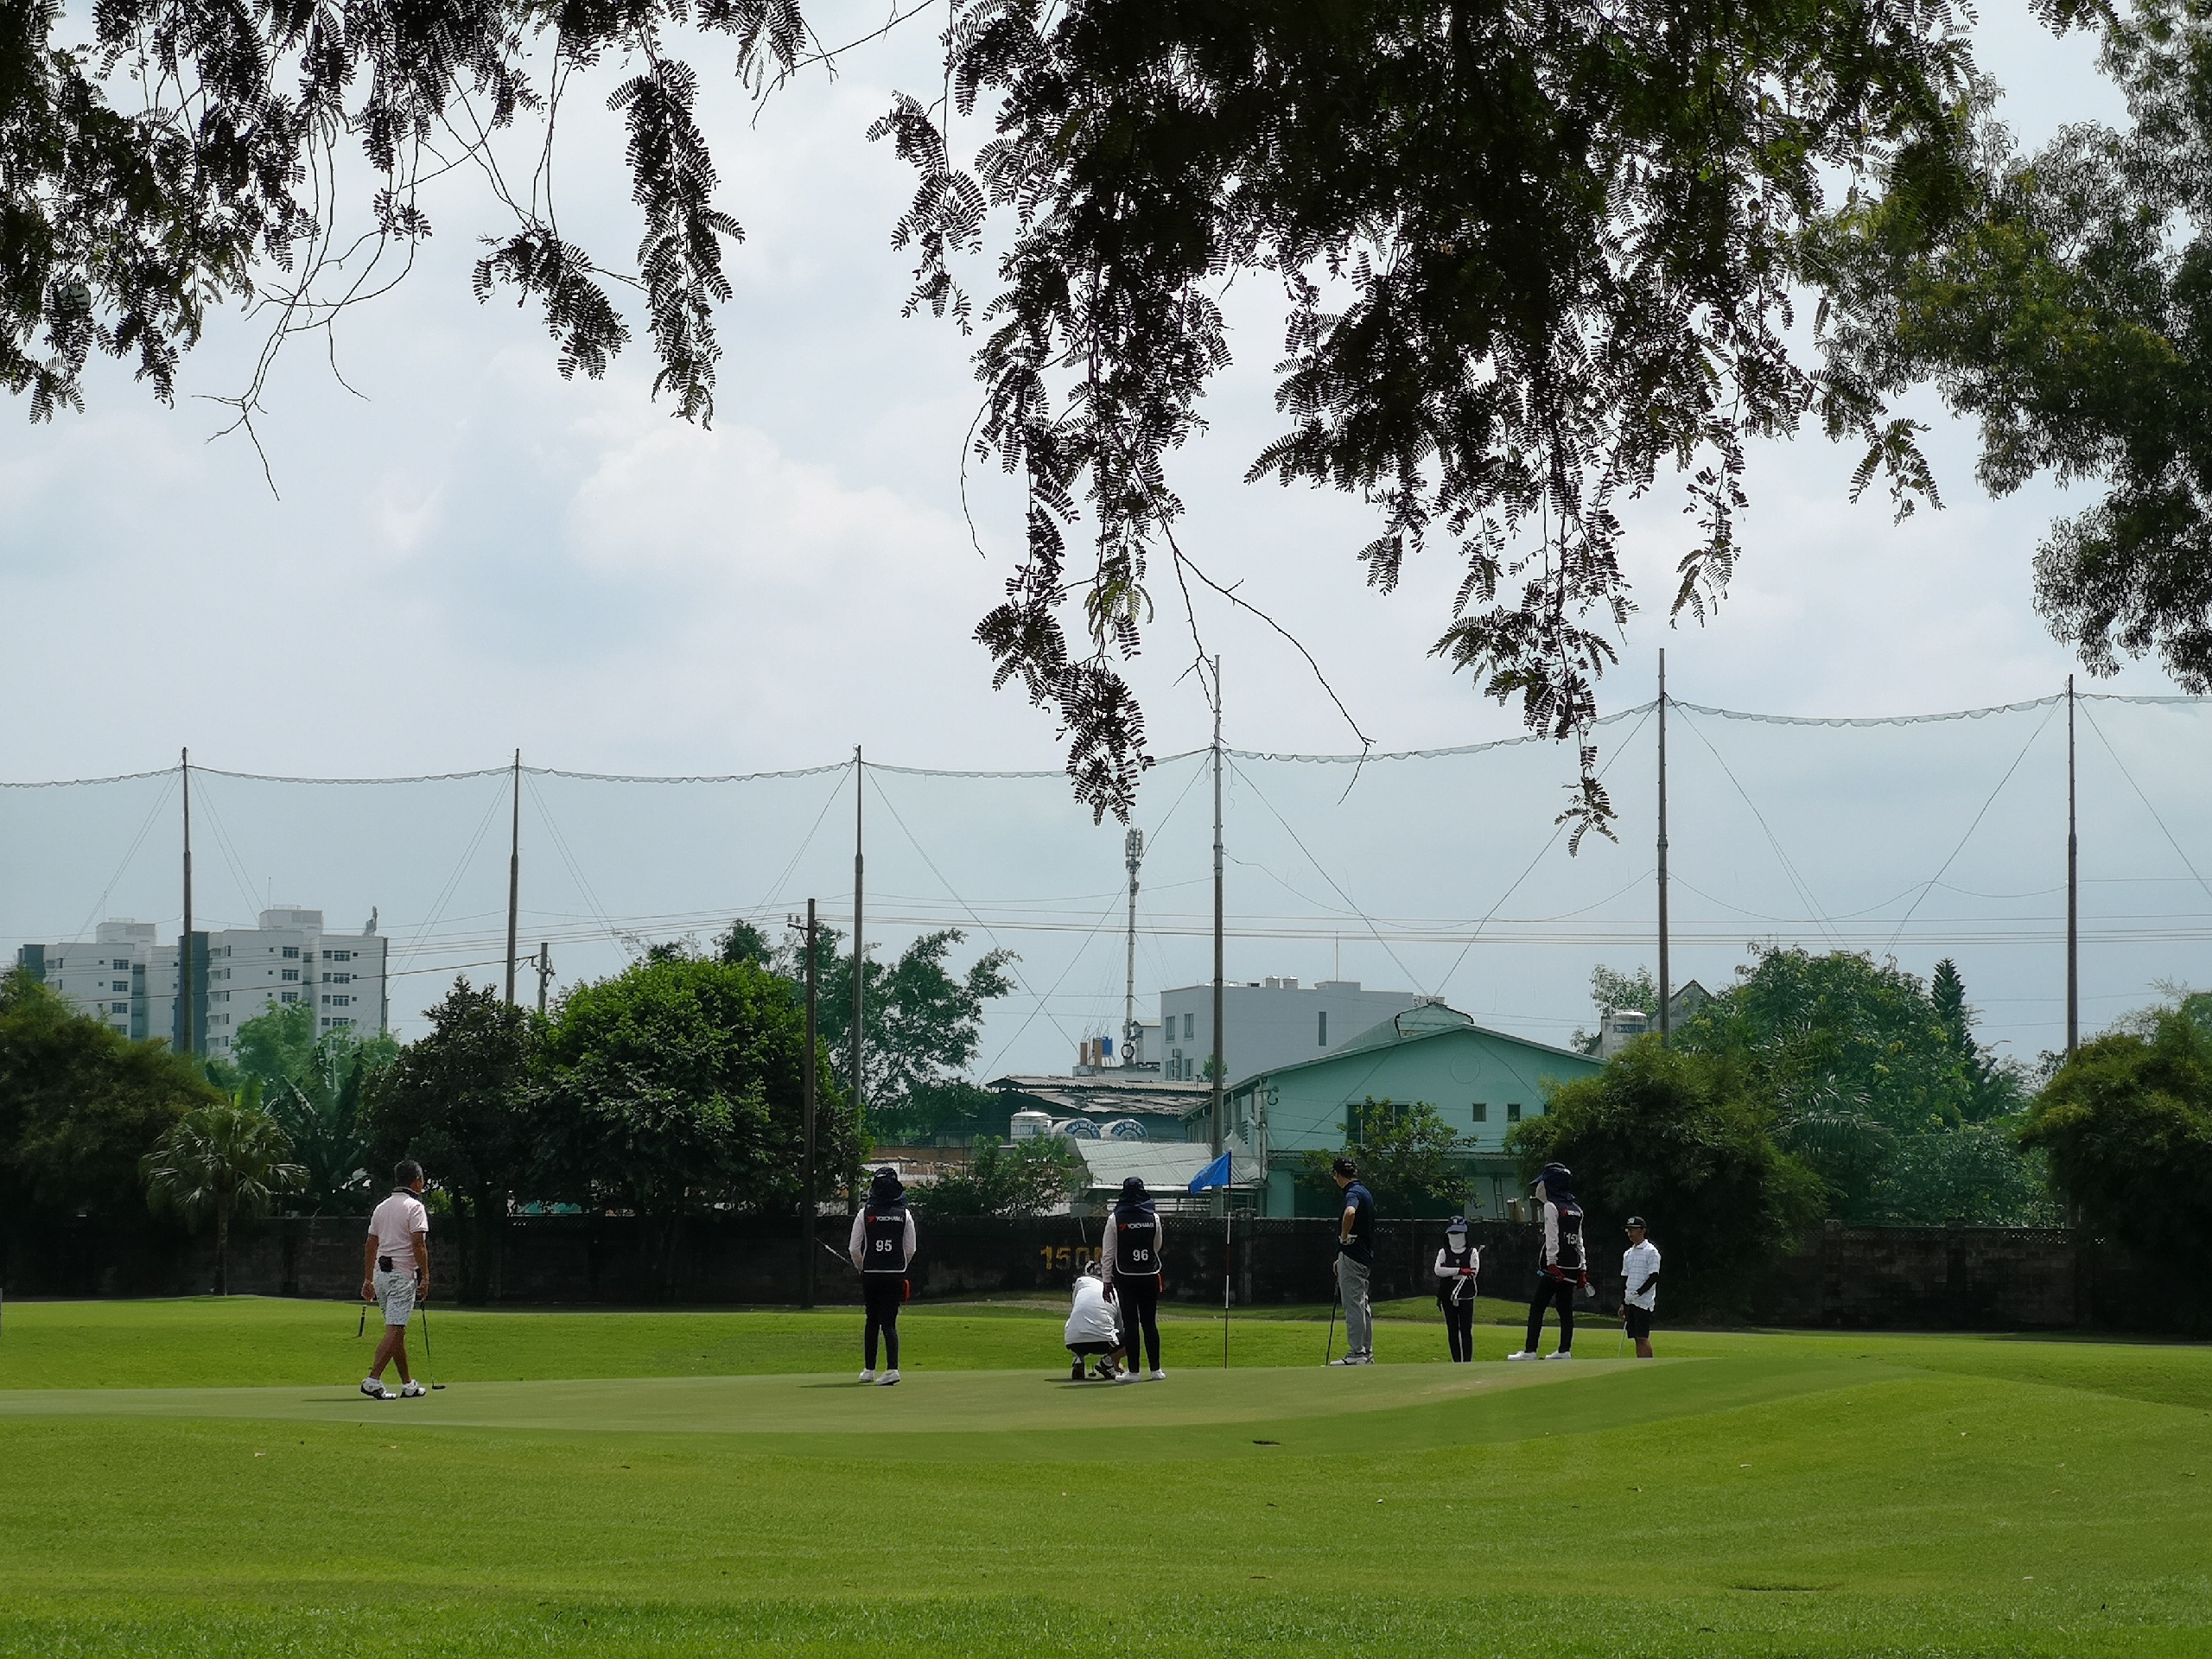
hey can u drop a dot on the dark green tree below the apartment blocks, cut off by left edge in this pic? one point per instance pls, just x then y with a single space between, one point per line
81 1105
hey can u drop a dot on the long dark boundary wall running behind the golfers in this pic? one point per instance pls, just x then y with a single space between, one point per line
1968 1280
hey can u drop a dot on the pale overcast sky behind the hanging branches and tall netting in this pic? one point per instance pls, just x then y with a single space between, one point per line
466 554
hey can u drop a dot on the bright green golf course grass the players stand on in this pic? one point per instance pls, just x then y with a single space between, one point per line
198 1479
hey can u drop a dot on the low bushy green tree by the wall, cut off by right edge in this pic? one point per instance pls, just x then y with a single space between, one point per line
2129 1131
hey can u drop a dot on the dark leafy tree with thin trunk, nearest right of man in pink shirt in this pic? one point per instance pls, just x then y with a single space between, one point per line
461 1103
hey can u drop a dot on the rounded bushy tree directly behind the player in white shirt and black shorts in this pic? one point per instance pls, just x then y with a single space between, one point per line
1684 1140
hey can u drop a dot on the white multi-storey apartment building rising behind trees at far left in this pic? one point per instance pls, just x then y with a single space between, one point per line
129 979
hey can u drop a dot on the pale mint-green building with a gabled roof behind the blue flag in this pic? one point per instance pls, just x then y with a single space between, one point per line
1481 1081
